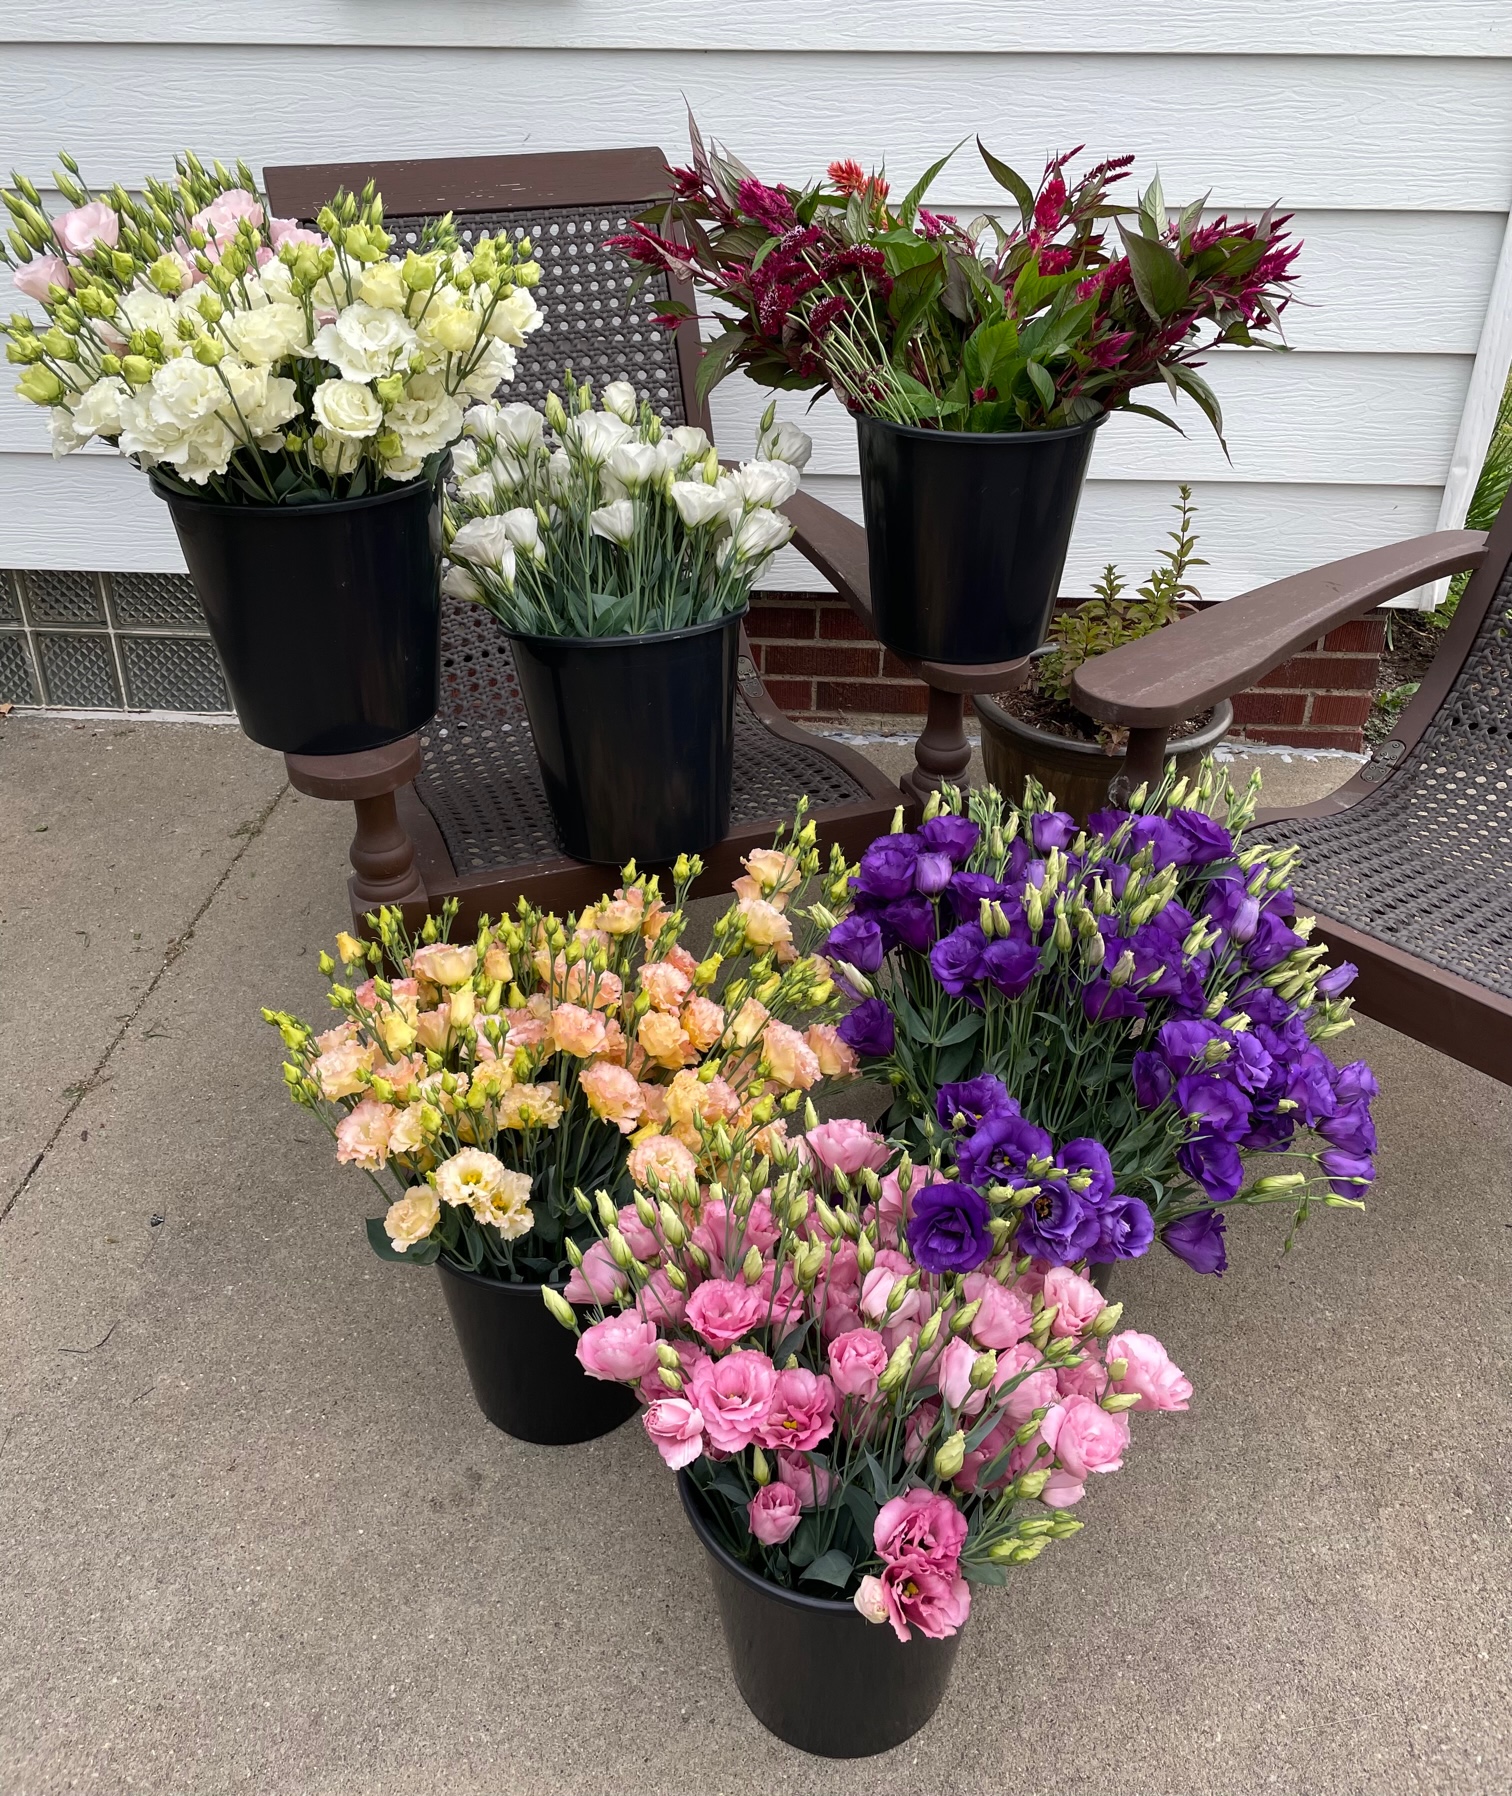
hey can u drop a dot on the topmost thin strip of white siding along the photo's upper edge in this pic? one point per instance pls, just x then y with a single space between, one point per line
1337 28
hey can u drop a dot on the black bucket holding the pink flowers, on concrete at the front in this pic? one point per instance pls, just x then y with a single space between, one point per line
814 1671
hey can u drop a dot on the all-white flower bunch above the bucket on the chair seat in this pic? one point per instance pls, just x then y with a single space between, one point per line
581 522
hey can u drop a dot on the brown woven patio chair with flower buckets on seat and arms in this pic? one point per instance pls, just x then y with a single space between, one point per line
461 811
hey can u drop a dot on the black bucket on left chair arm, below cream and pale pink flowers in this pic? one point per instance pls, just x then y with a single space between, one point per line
326 617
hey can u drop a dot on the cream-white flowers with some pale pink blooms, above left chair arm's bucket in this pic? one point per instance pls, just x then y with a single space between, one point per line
238 355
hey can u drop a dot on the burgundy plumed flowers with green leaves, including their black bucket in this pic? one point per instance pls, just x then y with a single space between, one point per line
978 358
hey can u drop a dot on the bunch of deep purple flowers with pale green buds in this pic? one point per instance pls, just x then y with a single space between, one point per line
1141 990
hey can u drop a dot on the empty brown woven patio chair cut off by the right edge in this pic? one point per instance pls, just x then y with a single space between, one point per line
1409 865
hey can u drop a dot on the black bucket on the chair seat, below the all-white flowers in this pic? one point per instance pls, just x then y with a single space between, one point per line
635 737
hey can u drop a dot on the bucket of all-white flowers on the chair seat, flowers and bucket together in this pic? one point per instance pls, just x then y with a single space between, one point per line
620 556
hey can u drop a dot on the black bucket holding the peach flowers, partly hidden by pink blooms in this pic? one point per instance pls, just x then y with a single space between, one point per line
523 1364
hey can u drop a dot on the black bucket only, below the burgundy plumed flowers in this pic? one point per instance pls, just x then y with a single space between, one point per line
967 536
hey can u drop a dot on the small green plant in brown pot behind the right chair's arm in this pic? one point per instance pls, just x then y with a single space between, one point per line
1037 734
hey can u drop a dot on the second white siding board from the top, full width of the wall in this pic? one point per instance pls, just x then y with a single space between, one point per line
1315 132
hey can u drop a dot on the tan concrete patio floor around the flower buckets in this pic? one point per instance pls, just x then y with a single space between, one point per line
258 1535
